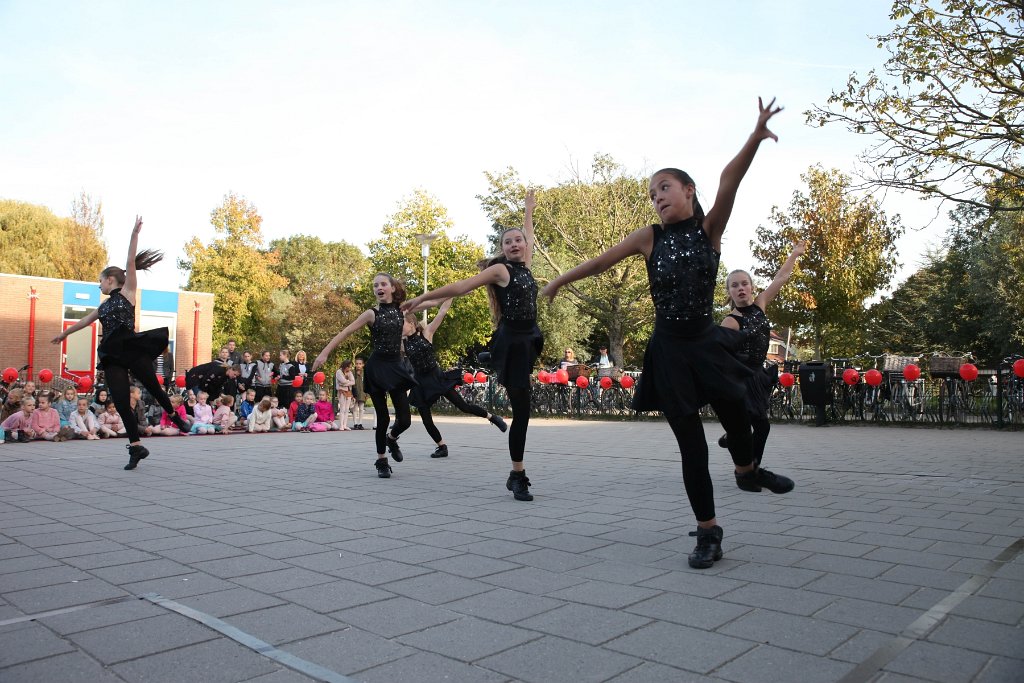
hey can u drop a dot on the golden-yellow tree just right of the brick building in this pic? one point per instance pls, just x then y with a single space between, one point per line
235 269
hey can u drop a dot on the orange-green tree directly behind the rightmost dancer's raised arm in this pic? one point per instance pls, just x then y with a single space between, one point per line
851 255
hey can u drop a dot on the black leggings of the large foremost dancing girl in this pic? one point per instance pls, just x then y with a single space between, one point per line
694 450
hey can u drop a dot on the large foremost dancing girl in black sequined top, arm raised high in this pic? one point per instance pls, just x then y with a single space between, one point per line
690 361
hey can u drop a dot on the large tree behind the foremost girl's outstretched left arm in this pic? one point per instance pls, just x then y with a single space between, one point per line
575 222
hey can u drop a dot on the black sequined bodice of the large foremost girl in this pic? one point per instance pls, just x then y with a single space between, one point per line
682 270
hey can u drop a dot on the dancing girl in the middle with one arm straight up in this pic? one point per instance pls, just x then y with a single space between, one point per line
518 341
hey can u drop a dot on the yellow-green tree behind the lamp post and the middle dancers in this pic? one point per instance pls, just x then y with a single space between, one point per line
452 259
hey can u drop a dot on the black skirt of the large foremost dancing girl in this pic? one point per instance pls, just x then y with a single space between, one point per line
684 372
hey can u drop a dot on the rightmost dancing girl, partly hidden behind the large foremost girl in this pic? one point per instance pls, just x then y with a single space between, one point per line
749 319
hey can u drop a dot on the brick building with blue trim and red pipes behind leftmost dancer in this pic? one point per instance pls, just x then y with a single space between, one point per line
38 309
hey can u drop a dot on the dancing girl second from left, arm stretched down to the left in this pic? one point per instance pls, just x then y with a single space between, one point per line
387 373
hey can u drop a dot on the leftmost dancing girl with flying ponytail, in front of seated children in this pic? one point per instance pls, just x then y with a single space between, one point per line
123 351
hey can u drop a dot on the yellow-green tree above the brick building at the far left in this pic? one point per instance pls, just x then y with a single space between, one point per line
36 242
